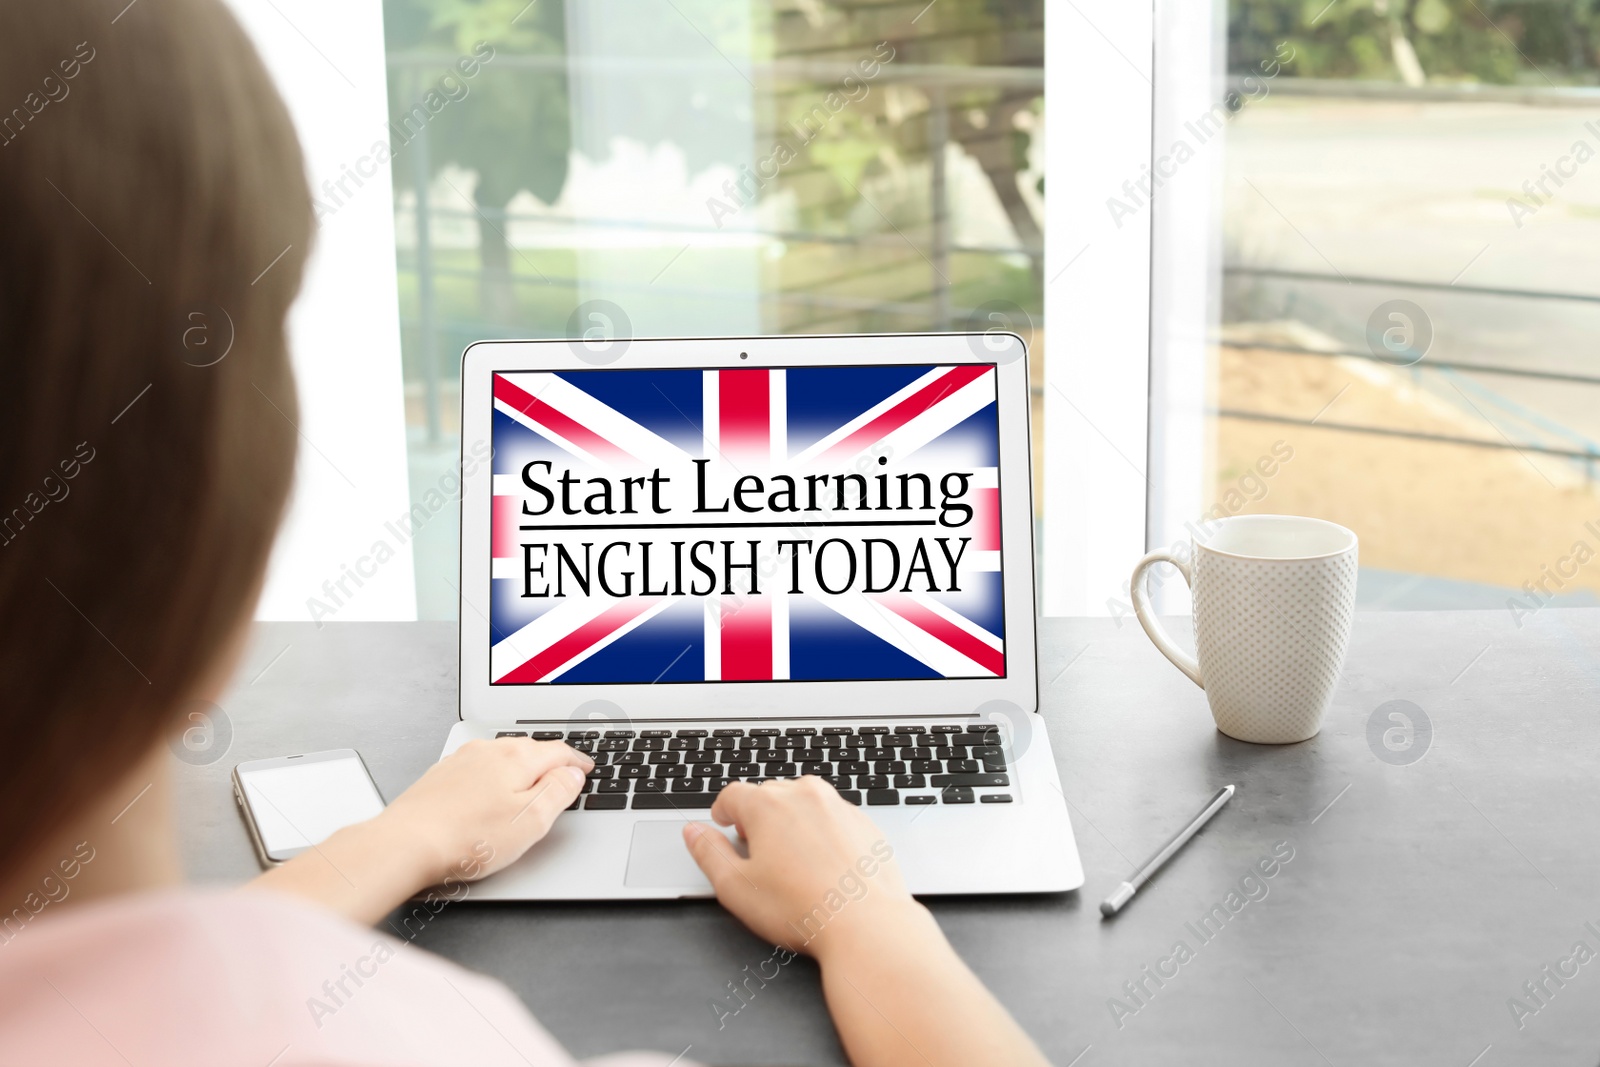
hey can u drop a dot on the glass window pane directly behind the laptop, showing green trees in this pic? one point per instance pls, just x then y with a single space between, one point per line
698 169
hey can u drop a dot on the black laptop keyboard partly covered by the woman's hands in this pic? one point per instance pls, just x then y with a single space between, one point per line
666 770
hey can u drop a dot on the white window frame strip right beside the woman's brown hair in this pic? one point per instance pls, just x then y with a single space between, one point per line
345 549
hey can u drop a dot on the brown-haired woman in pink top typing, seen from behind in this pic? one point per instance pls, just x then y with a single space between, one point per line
148 174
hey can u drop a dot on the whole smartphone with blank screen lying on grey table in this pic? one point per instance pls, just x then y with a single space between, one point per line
297 802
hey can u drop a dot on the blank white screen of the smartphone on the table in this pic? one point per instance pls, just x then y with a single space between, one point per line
300 805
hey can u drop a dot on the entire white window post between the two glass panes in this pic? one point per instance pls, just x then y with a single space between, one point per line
1129 306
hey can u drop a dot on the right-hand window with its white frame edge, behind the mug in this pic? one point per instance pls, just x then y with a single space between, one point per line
1374 294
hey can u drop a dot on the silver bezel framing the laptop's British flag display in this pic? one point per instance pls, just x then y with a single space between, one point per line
481 701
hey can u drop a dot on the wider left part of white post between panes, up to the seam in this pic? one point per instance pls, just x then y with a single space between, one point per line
1100 97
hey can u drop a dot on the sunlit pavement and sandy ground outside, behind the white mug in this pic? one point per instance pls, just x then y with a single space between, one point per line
1463 486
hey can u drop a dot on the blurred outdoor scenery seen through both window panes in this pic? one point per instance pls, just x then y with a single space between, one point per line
702 167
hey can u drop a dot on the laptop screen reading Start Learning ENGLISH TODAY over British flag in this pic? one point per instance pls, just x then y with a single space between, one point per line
802 524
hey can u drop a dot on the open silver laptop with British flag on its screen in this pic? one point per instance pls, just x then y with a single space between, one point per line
751 559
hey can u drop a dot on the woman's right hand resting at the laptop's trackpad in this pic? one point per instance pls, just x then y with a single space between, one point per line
818 874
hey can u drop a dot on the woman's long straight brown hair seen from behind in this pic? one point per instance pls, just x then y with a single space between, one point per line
154 215
